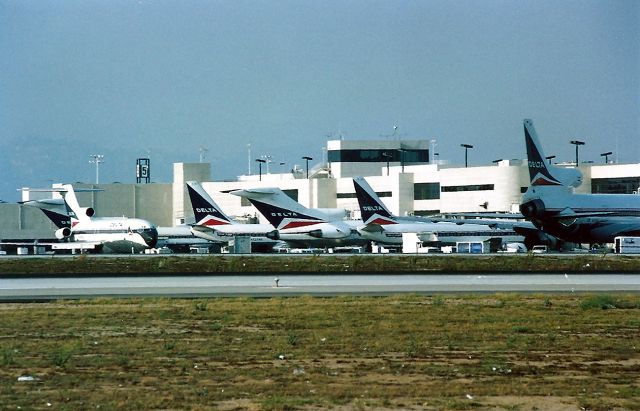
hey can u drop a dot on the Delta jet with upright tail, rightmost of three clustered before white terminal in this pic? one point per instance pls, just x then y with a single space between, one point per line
378 219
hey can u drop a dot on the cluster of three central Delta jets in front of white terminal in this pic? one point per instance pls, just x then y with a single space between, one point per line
303 227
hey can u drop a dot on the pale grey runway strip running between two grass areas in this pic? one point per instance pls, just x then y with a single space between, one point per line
319 285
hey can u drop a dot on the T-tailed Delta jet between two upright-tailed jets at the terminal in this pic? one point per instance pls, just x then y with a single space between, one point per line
300 226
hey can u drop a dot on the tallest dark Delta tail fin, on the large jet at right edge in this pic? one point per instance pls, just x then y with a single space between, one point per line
541 173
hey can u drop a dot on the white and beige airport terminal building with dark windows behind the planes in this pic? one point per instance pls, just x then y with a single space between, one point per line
402 172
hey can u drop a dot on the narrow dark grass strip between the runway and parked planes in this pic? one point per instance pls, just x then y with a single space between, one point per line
324 263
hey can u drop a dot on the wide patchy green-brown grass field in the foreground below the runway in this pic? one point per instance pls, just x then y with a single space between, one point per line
496 351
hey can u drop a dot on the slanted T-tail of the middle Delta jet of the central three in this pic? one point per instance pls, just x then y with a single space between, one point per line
279 209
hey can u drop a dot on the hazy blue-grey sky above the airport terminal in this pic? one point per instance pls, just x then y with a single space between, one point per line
130 79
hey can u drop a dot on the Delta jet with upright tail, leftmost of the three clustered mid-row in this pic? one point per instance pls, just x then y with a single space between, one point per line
213 224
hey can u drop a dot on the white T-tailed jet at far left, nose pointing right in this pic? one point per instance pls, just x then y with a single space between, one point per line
81 231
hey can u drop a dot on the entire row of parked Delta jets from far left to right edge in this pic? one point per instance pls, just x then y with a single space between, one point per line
554 211
